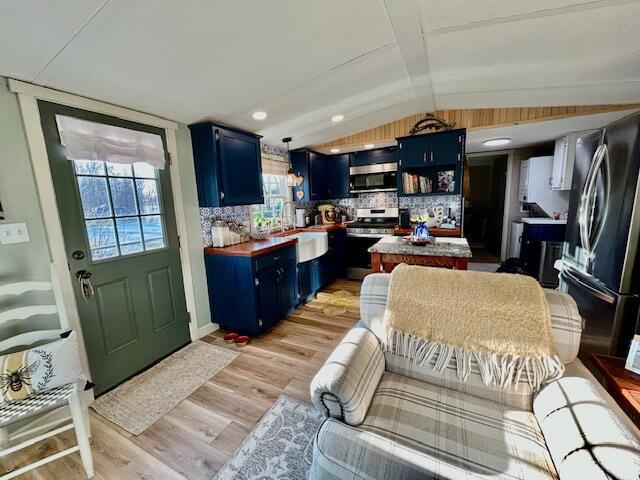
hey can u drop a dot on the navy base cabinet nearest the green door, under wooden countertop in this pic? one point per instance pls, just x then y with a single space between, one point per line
250 294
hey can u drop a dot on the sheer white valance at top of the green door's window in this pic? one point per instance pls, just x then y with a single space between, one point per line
85 140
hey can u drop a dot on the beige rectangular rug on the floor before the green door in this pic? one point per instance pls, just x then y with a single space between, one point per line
140 402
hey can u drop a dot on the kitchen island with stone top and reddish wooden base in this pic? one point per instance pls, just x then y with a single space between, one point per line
444 252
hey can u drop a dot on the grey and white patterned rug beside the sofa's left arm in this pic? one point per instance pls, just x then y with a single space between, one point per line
279 447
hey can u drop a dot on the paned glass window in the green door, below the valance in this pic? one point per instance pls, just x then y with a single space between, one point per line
121 207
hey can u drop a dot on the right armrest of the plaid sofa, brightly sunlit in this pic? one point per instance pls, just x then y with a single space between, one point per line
586 433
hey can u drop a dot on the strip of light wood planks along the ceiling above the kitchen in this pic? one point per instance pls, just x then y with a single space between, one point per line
473 119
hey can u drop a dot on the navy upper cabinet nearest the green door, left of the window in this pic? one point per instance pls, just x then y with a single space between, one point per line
228 165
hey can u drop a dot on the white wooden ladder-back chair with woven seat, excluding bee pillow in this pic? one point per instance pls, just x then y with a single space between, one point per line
32 414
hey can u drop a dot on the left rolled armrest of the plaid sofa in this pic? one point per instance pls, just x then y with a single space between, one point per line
345 384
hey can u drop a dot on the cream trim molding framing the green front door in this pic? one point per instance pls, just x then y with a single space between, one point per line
28 96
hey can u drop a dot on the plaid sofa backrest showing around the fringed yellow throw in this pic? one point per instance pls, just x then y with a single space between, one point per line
566 326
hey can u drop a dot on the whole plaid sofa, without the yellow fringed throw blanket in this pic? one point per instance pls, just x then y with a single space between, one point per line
391 419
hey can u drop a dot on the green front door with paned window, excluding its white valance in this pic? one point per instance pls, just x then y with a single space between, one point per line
121 241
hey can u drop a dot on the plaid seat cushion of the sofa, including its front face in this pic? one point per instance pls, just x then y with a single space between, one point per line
415 429
